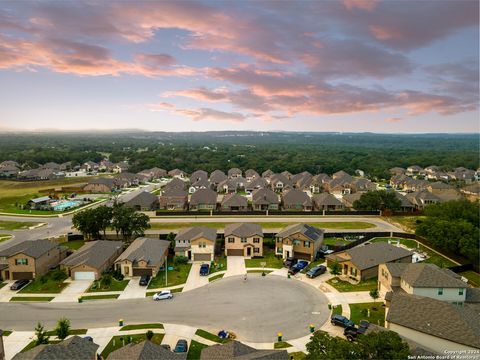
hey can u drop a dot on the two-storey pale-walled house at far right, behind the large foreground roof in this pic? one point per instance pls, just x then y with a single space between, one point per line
422 279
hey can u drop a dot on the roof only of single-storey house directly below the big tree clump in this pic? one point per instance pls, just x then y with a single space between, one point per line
147 249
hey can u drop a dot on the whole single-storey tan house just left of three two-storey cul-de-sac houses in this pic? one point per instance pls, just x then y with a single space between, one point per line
144 256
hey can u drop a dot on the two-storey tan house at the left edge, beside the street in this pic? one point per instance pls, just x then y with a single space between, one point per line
30 259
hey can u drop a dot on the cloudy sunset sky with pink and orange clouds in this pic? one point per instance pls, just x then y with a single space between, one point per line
353 65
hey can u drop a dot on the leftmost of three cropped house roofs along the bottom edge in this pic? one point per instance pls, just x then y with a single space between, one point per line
74 348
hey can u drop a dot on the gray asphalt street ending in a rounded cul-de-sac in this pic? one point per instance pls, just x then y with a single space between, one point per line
255 309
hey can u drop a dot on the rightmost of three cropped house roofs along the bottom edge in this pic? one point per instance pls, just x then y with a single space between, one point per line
236 350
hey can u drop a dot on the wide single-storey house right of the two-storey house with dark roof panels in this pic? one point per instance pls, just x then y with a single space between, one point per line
361 262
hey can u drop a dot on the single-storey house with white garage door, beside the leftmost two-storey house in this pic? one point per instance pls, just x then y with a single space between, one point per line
92 259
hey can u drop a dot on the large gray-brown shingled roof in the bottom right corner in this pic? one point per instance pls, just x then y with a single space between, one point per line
460 324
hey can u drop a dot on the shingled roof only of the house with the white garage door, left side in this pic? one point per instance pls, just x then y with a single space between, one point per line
93 253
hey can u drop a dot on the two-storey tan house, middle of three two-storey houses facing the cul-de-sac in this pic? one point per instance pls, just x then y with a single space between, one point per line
243 239
